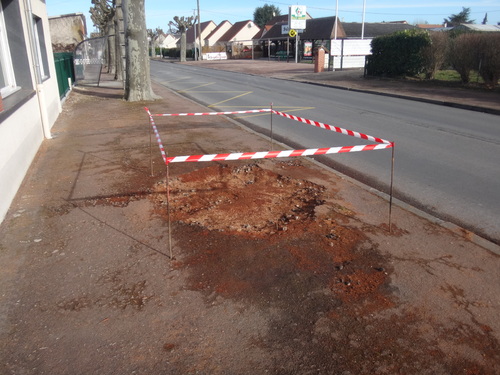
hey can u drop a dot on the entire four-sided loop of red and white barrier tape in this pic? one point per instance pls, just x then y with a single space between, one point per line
381 143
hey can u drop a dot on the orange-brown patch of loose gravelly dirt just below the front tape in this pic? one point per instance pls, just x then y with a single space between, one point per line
246 198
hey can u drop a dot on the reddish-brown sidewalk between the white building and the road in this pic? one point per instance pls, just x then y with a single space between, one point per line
280 266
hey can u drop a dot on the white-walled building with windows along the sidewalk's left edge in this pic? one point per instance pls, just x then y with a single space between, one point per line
29 100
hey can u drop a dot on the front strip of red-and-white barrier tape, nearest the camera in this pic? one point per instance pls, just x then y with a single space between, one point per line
277 154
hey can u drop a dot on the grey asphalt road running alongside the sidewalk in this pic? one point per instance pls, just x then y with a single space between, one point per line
447 160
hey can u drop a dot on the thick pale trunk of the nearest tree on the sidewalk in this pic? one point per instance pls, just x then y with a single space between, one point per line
137 77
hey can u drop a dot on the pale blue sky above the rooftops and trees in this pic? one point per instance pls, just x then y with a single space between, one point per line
160 12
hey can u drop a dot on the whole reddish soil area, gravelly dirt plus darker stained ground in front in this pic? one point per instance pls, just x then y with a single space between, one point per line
258 231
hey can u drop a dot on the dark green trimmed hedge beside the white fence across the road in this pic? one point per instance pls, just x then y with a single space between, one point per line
398 54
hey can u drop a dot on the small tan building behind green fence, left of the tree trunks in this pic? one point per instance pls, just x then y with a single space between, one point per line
66 31
